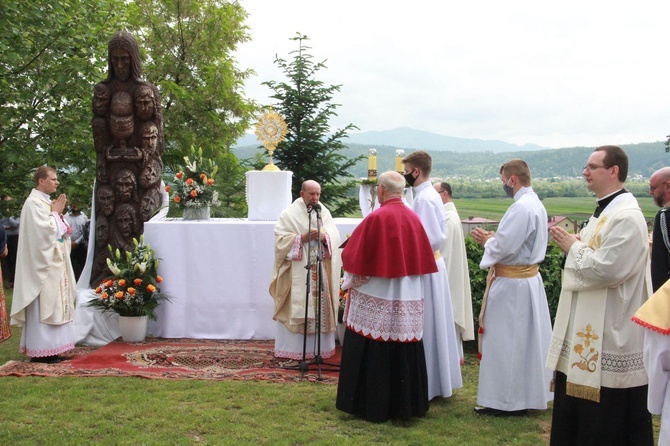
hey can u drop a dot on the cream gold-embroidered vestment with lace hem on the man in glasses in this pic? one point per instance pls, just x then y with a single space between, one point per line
606 279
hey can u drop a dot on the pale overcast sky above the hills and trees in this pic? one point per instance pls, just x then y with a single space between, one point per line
558 74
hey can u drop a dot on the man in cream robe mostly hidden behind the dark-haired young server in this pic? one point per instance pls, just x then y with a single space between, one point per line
456 260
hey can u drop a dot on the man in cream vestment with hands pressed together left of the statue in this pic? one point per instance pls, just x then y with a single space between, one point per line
44 290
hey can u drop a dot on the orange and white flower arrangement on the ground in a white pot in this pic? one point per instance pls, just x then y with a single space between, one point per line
133 288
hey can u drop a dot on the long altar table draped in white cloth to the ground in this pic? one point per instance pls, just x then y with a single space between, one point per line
217 274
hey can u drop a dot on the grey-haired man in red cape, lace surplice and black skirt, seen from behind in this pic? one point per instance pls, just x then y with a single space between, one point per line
383 369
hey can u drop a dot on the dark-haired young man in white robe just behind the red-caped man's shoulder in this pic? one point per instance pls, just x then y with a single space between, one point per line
439 332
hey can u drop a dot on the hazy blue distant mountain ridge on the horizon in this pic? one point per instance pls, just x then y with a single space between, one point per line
408 138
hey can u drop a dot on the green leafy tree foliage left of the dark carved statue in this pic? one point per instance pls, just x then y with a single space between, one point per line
52 55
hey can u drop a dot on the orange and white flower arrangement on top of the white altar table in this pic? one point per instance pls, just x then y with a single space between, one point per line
193 185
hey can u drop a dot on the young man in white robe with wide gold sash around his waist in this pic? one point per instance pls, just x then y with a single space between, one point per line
514 321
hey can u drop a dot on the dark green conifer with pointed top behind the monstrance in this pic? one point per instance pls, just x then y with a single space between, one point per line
310 150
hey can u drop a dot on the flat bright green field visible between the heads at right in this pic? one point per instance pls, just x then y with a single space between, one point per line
575 208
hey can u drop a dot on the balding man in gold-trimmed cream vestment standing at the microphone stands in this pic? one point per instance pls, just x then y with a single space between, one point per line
294 245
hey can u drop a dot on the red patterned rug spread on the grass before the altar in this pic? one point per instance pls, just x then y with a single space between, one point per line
157 358
